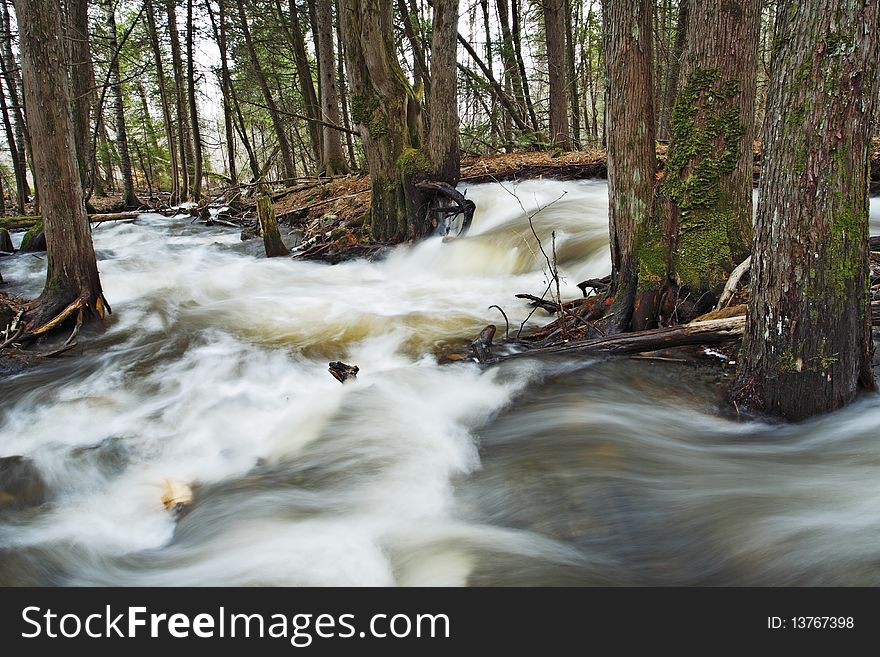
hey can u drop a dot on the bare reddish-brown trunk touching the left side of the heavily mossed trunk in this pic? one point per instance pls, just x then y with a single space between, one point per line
631 160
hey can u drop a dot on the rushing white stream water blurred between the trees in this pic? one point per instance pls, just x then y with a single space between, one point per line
213 371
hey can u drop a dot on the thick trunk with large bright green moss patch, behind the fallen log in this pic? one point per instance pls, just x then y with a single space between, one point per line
705 198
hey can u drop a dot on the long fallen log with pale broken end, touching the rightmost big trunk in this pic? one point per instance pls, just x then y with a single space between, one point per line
712 331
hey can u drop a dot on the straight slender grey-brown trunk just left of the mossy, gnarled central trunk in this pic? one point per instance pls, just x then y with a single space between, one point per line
333 157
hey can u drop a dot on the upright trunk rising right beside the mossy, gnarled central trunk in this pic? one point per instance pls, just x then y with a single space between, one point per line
444 151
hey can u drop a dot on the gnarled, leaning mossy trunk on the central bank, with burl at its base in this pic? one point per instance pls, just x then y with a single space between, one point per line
388 116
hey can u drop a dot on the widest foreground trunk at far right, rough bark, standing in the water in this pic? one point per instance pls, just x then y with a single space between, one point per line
808 338
